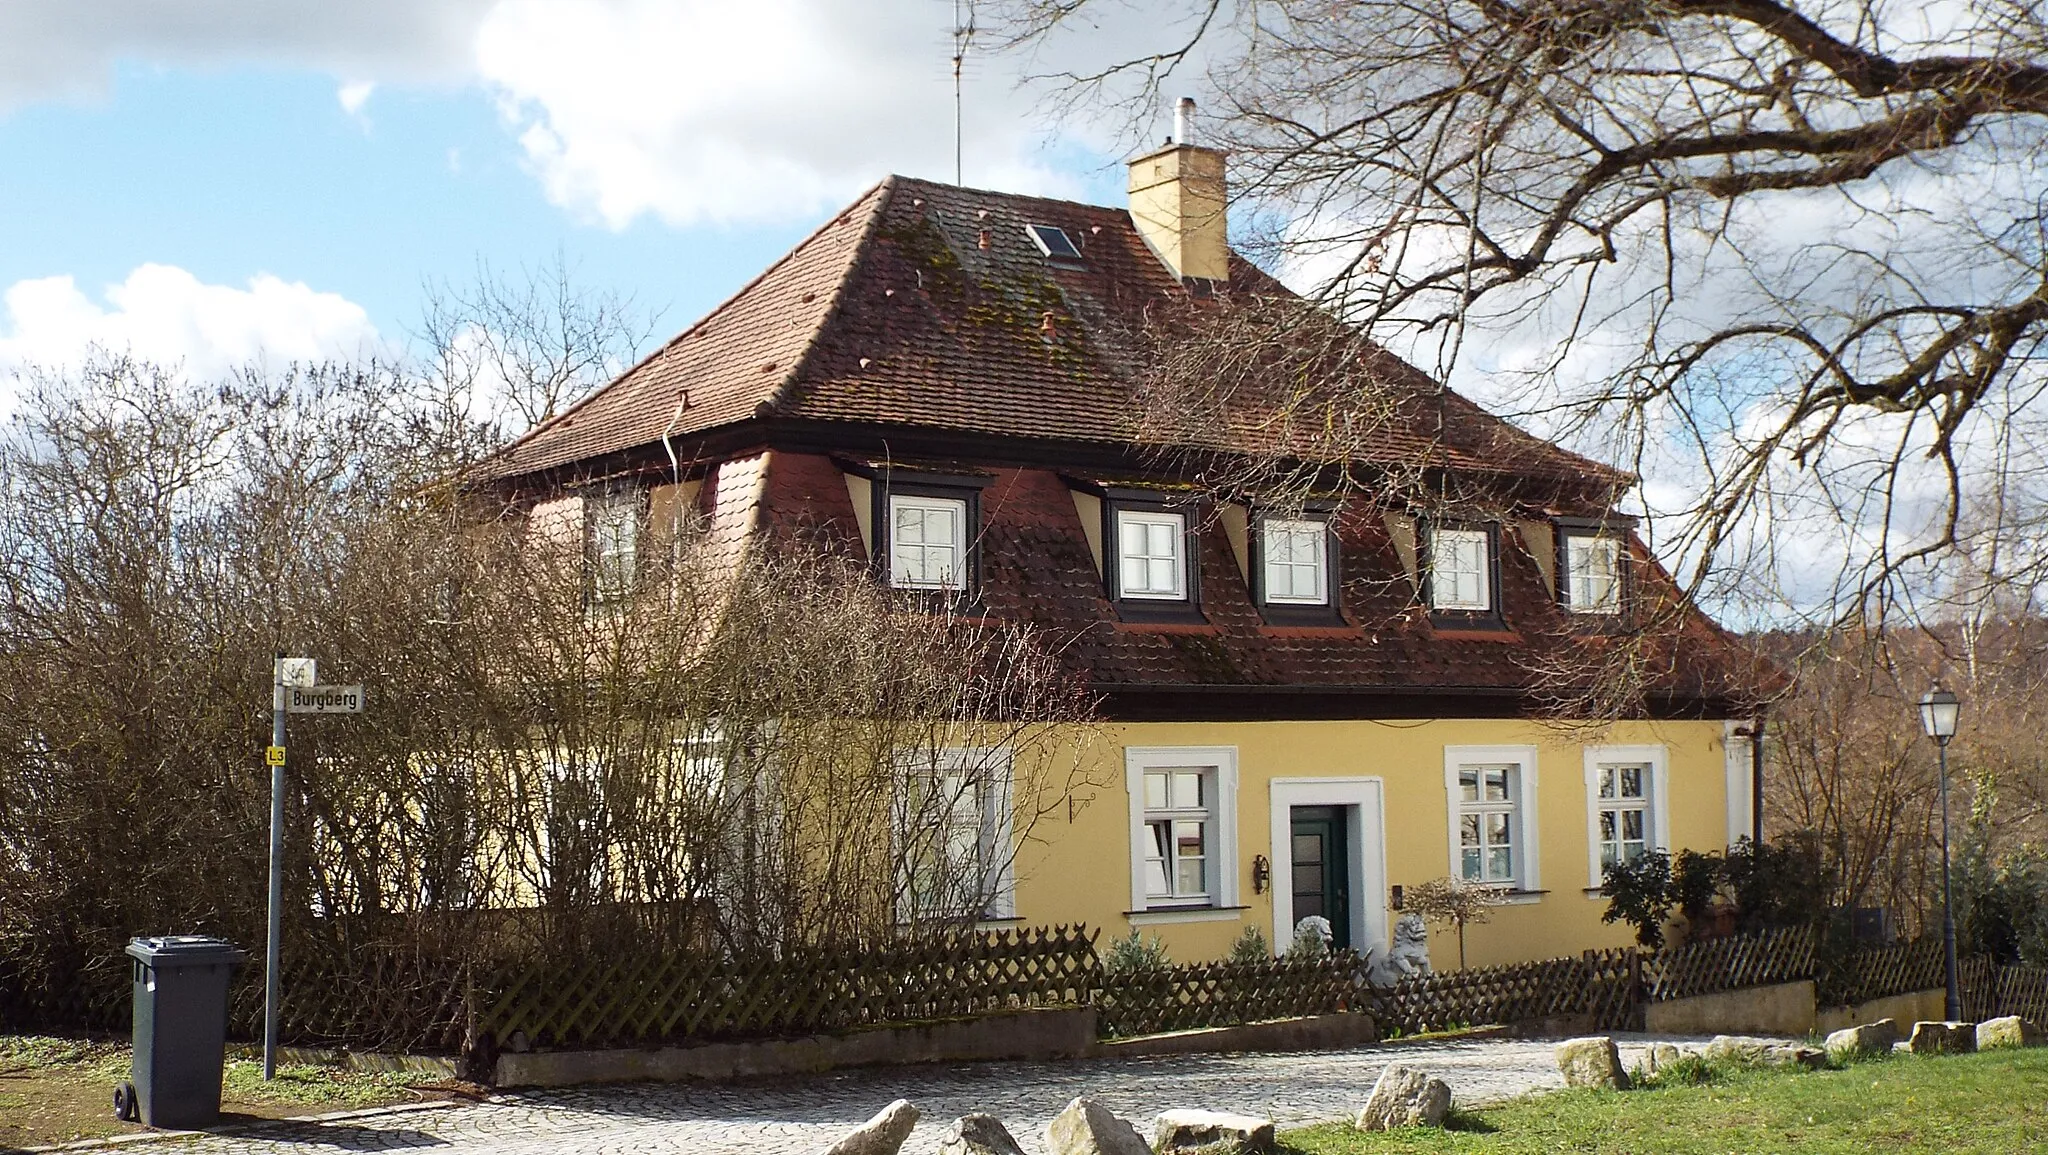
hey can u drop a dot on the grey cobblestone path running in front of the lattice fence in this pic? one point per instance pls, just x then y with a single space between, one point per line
800 1117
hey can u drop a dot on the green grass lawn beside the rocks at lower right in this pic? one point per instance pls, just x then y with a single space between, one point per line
1994 1103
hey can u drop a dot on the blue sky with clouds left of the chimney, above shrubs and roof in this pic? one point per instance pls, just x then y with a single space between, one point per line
218 187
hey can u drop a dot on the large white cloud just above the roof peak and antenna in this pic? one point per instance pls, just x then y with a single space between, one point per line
775 110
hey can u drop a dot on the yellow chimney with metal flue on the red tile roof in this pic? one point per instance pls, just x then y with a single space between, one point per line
1179 204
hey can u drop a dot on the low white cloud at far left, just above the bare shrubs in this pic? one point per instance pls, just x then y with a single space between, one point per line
169 316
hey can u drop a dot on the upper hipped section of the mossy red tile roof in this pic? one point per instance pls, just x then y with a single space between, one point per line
929 306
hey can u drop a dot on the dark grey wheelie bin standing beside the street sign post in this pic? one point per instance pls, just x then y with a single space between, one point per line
181 1031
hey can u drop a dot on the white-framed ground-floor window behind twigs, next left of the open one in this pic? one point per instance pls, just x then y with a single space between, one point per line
957 837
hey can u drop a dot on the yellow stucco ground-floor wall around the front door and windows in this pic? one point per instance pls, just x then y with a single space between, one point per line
1078 869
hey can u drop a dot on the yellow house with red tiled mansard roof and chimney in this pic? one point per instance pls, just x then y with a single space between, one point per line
1310 705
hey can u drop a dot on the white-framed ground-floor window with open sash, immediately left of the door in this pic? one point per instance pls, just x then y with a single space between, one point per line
1183 828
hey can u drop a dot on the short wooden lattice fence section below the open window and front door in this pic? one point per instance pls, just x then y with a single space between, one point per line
1228 994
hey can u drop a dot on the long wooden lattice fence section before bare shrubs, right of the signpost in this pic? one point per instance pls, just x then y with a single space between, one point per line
636 1000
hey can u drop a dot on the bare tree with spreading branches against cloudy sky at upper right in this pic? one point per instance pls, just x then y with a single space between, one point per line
1785 257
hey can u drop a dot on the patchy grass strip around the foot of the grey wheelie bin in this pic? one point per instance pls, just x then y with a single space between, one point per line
54 1090
